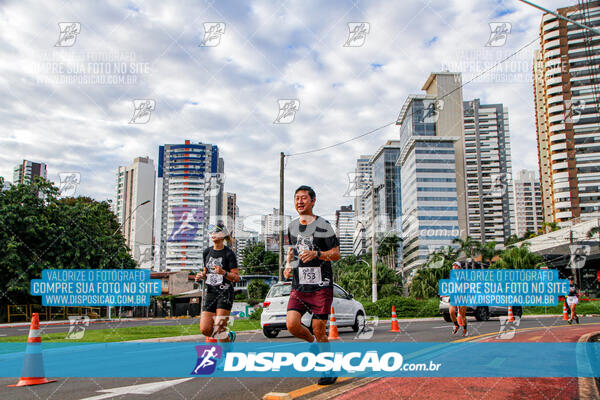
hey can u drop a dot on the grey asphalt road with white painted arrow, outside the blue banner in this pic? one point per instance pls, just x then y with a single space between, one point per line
247 388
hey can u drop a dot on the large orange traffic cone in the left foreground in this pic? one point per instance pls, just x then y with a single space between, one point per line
33 365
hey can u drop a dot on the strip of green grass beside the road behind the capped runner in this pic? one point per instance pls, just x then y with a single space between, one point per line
132 333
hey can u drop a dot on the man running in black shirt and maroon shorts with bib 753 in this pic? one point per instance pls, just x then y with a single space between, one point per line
313 245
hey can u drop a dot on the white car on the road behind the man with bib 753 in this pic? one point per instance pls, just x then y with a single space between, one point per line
348 312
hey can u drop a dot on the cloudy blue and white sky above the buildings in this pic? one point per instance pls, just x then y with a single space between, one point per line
68 100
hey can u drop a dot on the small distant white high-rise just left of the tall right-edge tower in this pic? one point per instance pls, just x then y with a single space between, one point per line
528 203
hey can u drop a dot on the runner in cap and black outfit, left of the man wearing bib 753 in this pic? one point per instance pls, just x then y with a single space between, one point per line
220 272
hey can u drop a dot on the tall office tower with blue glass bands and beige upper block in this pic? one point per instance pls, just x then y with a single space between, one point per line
432 169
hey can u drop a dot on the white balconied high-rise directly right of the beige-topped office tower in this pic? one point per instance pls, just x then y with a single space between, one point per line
490 200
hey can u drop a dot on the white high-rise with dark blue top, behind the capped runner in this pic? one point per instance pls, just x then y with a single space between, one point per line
188 184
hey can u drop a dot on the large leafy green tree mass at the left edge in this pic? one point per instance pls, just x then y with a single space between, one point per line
39 231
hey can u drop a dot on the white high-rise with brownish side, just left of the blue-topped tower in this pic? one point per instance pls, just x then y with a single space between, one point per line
134 207
